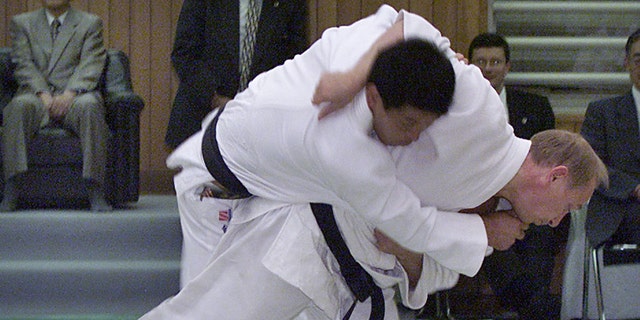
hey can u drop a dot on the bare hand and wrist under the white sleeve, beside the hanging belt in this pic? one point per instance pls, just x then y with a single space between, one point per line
410 261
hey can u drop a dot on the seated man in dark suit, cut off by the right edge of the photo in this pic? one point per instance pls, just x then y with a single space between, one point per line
611 127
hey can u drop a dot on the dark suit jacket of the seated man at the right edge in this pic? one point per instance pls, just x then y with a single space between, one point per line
611 127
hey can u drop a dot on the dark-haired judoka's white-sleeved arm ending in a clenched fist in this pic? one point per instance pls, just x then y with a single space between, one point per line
457 241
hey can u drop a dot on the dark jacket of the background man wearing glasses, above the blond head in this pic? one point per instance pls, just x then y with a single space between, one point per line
529 113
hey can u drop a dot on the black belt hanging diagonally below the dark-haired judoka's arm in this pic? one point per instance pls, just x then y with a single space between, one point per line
358 280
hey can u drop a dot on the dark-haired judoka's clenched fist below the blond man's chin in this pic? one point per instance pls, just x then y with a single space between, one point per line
503 228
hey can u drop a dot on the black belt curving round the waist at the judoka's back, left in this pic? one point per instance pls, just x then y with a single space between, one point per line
227 182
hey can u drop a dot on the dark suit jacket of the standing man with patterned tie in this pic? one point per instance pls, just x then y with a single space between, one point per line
206 53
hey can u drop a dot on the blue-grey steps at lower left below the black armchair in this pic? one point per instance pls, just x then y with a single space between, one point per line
61 264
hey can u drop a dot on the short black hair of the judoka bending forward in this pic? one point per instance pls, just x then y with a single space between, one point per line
415 73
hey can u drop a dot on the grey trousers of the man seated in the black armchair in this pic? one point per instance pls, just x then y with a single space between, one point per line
26 114
